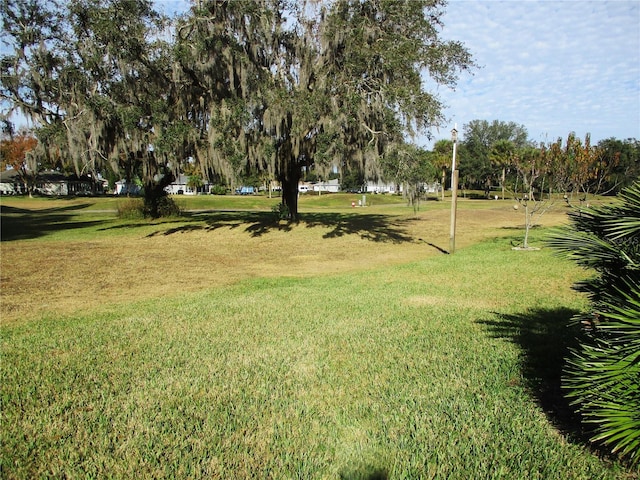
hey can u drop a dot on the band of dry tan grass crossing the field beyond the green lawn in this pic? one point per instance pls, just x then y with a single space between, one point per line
57 277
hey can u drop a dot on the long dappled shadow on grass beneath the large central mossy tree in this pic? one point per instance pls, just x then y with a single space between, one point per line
375 228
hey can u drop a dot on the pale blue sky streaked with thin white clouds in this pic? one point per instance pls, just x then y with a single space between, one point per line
554 66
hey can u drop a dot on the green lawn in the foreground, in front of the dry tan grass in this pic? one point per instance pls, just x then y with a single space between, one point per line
447 367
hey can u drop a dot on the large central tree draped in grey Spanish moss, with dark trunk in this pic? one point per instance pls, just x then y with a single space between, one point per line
337 84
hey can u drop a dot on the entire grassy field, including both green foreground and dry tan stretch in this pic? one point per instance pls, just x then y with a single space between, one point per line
227 345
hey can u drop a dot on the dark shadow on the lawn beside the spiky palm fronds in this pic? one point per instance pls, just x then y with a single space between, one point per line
545 336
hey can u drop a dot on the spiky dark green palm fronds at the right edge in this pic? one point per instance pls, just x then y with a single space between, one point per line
602 376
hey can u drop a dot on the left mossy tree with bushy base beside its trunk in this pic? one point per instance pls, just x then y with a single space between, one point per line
94 77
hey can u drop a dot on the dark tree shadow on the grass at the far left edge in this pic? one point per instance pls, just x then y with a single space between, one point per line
23 224
